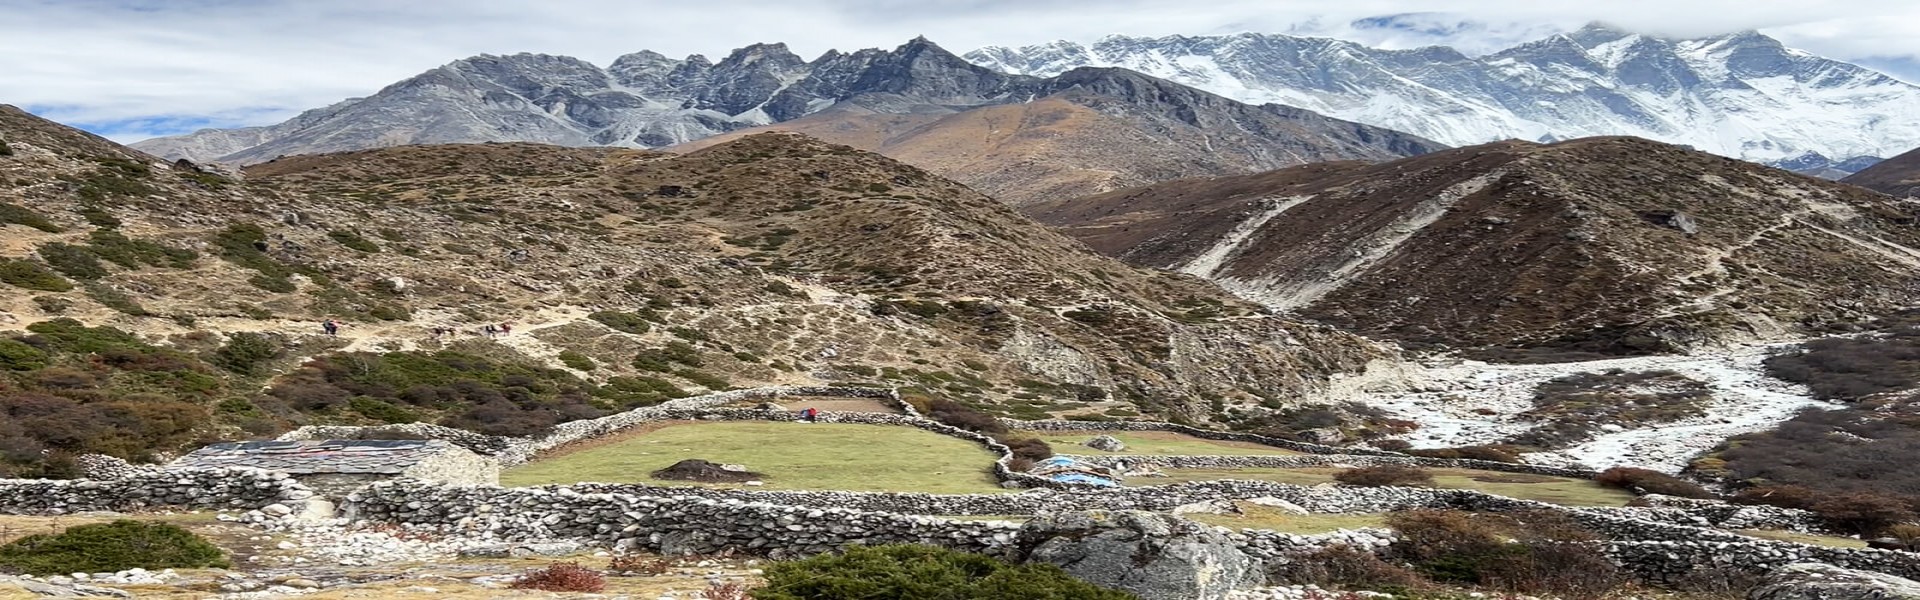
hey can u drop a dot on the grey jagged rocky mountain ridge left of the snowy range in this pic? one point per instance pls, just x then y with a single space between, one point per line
650 101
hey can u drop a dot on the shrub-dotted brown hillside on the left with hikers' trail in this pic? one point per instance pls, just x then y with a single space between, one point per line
625 276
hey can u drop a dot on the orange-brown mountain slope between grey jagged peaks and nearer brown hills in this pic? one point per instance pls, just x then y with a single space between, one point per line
1099 130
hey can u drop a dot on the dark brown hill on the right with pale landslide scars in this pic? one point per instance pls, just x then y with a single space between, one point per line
1604 245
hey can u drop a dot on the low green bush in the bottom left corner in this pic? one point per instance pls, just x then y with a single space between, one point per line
112 547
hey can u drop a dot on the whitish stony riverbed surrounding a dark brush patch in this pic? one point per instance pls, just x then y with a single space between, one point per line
1474 403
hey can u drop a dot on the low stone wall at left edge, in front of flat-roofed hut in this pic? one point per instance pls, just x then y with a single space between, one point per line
208 489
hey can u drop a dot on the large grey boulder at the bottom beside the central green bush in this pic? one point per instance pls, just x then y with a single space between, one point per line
1149 555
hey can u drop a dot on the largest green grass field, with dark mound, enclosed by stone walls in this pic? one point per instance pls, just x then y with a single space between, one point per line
794 457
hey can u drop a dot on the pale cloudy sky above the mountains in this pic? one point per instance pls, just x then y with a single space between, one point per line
141 68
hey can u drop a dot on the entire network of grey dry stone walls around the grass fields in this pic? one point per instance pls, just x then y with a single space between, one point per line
1666 539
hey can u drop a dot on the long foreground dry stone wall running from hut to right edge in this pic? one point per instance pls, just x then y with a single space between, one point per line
777 524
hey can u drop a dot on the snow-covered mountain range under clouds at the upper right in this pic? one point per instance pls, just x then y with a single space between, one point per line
1735 95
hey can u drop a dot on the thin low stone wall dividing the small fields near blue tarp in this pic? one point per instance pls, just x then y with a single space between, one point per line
1320 461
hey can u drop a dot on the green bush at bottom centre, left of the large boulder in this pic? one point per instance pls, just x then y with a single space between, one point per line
923 572
